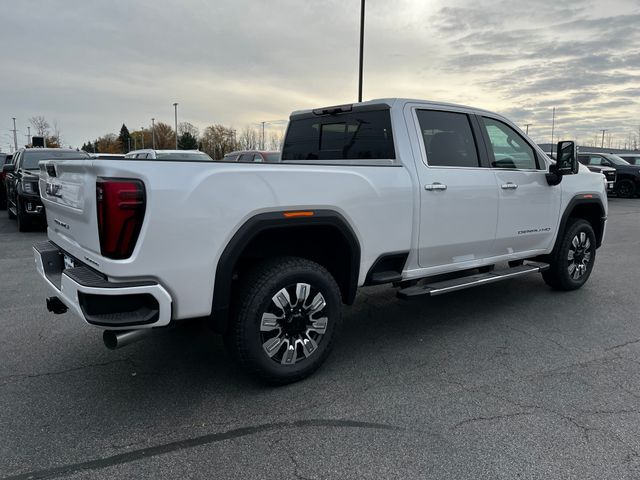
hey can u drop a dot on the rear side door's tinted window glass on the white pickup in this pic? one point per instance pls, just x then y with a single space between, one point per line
448 139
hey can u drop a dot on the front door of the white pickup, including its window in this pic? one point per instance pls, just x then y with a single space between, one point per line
529 206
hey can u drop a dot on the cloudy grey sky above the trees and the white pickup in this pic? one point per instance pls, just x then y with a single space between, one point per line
92 65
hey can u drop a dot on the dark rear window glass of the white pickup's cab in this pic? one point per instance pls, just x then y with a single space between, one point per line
349 136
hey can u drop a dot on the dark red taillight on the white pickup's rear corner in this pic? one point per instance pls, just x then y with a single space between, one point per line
121 205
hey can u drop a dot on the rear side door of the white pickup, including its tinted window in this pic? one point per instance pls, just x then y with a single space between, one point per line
458 193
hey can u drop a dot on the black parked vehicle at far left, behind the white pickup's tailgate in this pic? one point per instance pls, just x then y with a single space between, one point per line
21 183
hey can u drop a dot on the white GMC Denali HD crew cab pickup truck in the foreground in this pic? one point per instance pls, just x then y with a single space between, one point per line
391 191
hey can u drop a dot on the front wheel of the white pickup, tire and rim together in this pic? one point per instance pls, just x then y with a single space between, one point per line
560 275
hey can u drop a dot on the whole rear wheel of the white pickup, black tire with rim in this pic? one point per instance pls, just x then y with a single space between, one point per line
249 342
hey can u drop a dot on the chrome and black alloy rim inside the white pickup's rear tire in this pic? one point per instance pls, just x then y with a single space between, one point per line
291 330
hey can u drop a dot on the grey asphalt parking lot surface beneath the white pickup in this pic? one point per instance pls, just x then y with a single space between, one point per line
499 382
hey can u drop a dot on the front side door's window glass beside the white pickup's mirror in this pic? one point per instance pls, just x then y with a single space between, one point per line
510 150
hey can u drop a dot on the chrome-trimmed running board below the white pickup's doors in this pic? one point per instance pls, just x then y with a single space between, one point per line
439 288
